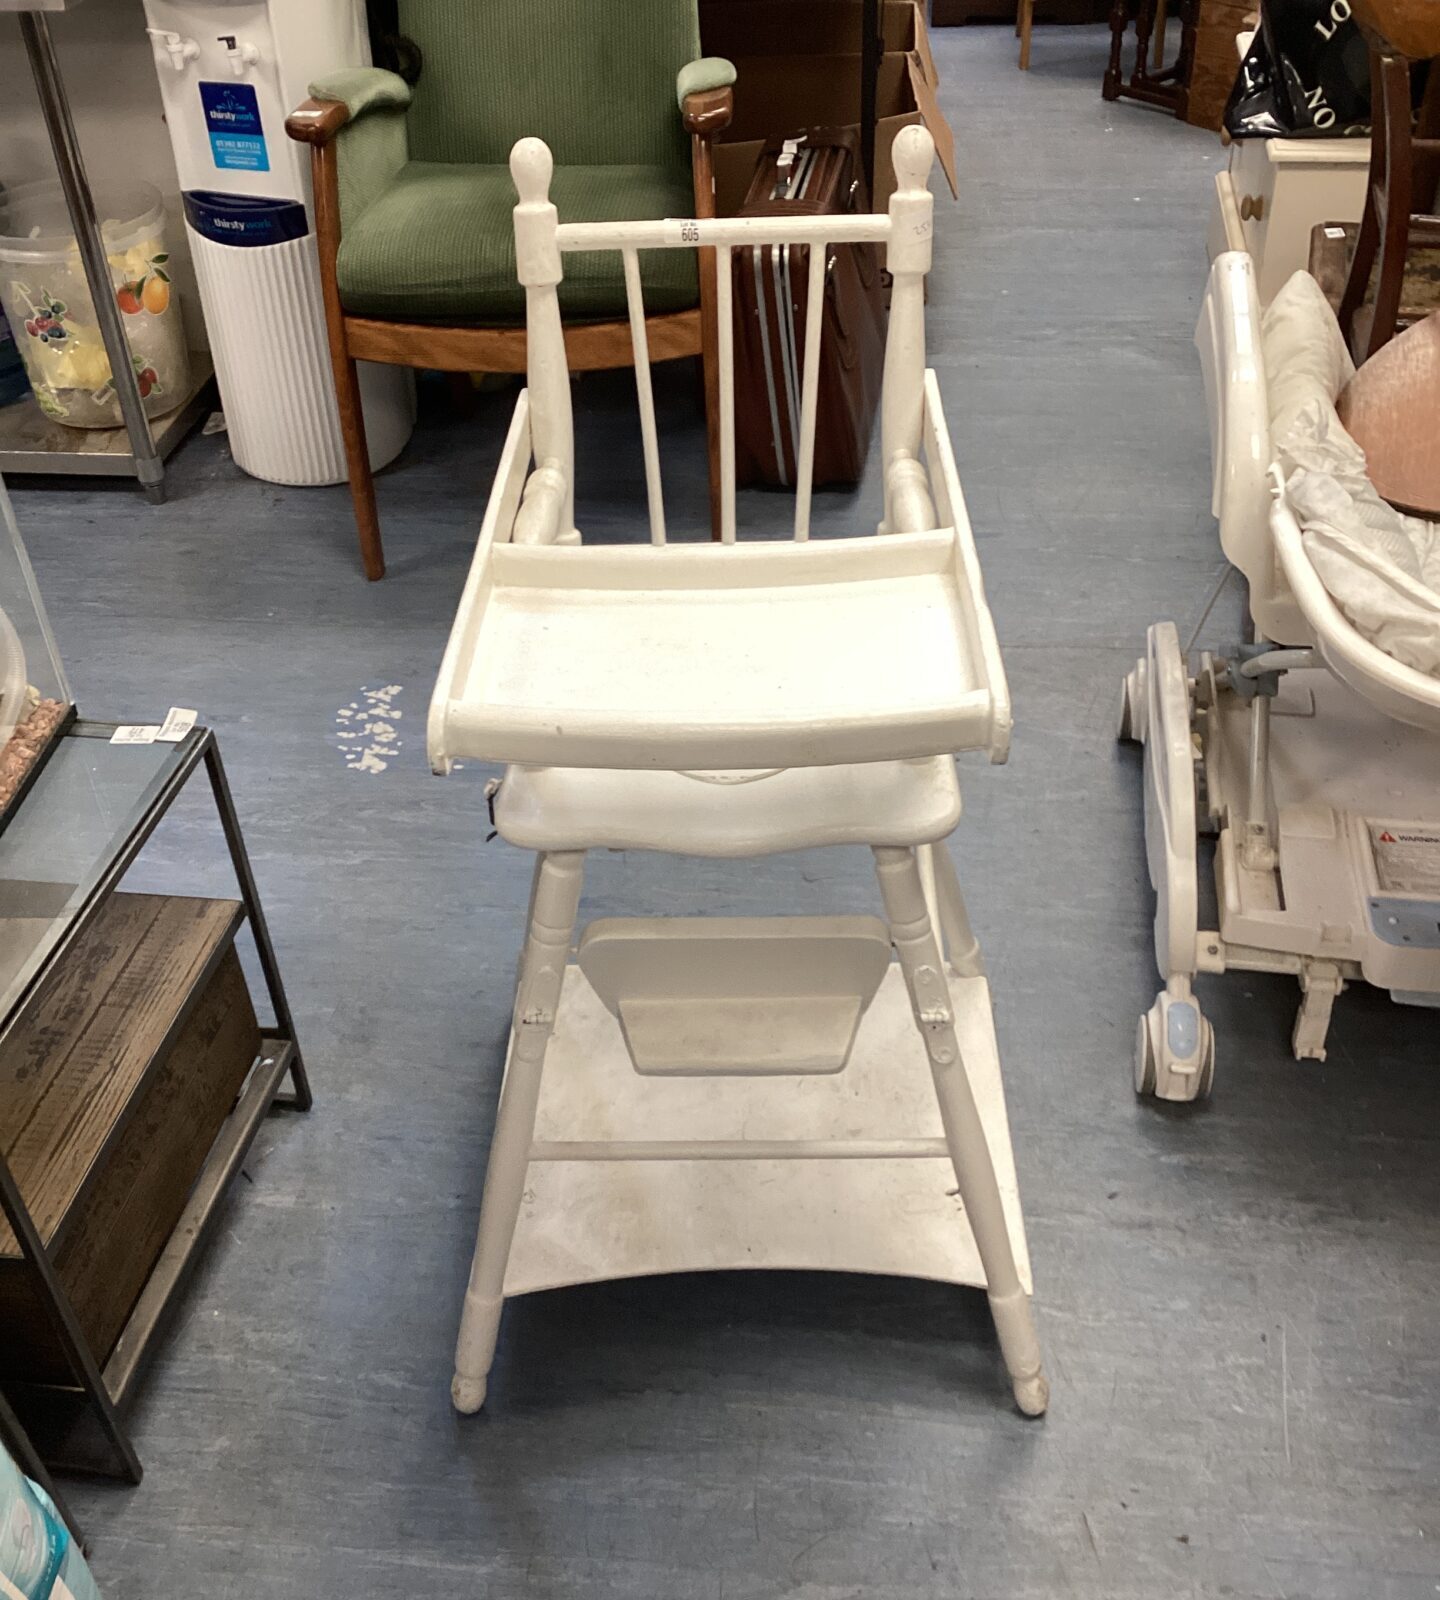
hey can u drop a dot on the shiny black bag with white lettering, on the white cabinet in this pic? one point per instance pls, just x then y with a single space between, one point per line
1305 78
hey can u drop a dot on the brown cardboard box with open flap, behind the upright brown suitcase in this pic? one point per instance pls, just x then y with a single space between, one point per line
782 95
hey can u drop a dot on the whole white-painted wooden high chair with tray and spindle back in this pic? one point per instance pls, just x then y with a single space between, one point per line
737 1092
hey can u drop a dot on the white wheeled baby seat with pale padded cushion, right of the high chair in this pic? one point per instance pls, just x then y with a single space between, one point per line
1310 754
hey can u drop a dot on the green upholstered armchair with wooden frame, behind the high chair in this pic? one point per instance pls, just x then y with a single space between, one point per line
414 193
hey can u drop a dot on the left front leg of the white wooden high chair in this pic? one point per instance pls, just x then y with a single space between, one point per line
553 911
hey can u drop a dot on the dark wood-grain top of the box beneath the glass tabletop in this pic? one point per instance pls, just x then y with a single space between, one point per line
74 1065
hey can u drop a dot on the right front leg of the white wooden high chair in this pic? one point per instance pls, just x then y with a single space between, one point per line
975 1174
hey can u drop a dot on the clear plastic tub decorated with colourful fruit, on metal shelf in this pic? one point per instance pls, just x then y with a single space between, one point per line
47 302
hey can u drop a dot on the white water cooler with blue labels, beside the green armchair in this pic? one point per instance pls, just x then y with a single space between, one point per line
231 73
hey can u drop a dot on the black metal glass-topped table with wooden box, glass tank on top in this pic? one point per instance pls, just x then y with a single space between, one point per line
135 1060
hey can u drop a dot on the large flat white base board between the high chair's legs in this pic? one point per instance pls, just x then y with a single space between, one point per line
729 1193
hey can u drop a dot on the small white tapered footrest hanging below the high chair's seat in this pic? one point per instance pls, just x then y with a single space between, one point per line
737 996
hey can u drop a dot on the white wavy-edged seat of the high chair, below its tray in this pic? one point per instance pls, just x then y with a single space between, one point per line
900 804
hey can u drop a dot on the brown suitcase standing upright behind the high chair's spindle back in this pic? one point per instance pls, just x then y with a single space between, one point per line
817 174
